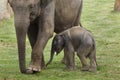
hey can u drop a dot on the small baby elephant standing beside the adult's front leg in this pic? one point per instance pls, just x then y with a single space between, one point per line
75 39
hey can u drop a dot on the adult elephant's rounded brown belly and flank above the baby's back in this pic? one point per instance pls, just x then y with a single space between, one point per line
66 12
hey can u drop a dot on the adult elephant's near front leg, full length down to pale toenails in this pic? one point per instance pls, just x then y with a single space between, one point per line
46 29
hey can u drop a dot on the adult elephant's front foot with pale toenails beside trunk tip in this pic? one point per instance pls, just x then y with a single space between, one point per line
33 69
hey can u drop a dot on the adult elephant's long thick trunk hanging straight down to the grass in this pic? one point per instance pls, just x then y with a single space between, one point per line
21 31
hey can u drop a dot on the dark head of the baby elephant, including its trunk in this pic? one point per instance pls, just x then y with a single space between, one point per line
58 44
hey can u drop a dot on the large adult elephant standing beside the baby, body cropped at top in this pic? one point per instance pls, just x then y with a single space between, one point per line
39 19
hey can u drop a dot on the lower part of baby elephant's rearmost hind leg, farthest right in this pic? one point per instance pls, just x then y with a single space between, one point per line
93 63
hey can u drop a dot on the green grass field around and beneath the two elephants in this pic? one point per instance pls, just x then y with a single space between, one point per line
99 18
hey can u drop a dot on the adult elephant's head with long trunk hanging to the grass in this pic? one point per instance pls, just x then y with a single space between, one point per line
25 11
